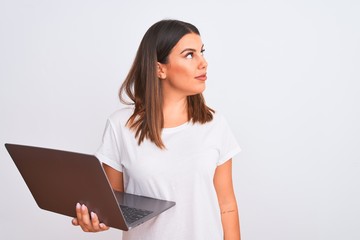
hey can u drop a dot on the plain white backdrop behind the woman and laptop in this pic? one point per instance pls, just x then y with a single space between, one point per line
284 73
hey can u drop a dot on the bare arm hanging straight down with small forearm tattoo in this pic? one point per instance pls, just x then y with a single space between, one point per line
227 201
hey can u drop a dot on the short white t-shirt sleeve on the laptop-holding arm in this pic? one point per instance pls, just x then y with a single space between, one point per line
109 151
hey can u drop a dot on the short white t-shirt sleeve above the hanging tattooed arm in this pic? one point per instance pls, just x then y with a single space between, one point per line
229 147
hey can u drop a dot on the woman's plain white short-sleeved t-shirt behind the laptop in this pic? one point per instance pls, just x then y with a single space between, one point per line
183 172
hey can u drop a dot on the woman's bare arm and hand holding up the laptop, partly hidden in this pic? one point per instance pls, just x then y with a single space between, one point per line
89 222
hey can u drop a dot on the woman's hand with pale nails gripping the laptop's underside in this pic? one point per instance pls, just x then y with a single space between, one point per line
89 222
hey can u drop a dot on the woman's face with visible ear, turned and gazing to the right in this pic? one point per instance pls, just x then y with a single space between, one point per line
185 72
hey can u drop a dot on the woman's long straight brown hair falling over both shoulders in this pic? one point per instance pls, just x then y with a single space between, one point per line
143 87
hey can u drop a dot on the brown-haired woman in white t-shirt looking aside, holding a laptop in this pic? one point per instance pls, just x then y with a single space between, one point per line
169 144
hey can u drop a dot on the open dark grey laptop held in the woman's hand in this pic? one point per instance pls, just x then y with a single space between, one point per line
59 179
